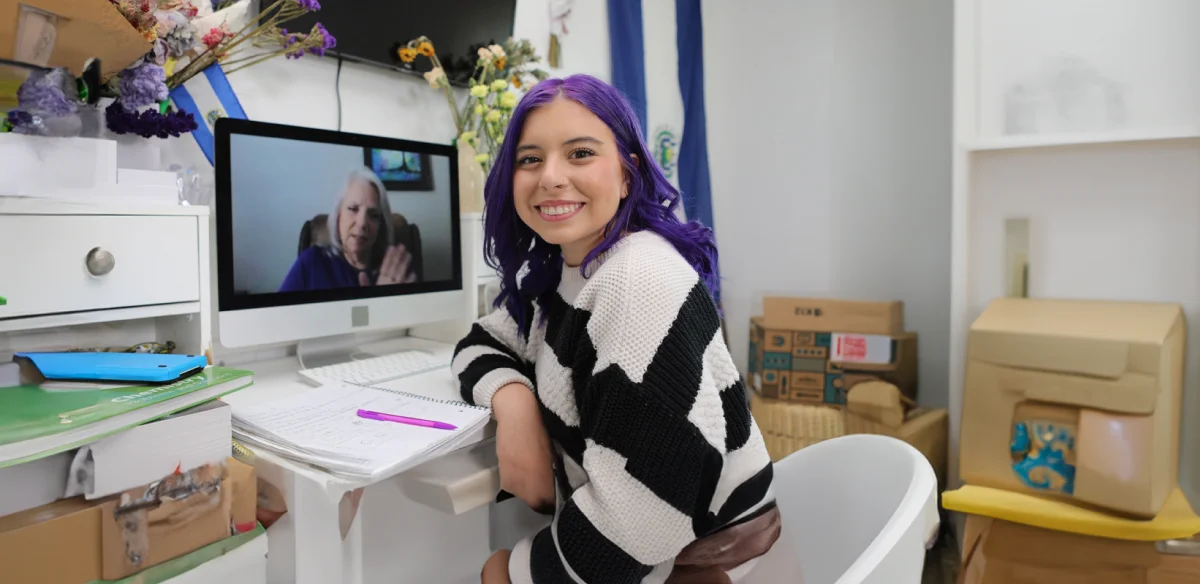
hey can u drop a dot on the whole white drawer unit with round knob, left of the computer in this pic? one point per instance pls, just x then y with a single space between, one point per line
104 274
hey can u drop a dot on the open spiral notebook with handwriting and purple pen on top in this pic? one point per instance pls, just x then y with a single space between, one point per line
322 429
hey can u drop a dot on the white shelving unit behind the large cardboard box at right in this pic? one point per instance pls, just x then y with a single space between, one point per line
1082 117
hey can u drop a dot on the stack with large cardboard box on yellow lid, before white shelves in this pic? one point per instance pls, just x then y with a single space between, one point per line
1070 444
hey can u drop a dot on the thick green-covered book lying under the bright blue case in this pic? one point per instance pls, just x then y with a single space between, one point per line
37 423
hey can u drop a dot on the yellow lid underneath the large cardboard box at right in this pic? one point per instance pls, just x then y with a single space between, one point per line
1174 522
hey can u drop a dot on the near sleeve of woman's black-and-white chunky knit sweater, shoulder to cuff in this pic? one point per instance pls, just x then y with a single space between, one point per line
661 407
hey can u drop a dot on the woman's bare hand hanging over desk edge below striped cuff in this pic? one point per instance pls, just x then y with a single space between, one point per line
524 448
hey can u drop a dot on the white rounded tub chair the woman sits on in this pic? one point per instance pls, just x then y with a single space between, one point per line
856 510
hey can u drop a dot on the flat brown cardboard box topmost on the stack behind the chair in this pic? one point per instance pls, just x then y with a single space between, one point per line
827 315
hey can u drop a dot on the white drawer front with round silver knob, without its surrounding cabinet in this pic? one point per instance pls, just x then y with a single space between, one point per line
62 263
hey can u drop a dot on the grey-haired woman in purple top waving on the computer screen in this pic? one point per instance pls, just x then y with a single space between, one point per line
361 250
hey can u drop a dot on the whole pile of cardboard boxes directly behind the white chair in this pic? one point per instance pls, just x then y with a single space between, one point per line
823 369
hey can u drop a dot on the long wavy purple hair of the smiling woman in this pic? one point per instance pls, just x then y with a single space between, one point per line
651 206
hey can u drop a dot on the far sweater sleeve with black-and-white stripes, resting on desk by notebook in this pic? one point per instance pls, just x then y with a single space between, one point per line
491 357
